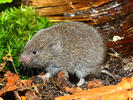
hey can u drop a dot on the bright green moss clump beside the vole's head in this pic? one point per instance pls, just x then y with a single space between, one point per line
17 26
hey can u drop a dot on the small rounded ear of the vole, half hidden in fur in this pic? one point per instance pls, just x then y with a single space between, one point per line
56 45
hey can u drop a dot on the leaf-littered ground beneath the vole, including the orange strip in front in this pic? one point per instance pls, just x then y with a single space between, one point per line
101 87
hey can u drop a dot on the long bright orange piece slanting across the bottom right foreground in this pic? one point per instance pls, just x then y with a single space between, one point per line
121 91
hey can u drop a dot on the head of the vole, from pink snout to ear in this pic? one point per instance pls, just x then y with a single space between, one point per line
41 49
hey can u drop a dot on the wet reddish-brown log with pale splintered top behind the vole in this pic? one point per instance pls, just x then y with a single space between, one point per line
110 17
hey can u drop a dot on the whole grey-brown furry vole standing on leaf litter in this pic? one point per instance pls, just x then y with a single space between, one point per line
73 46
